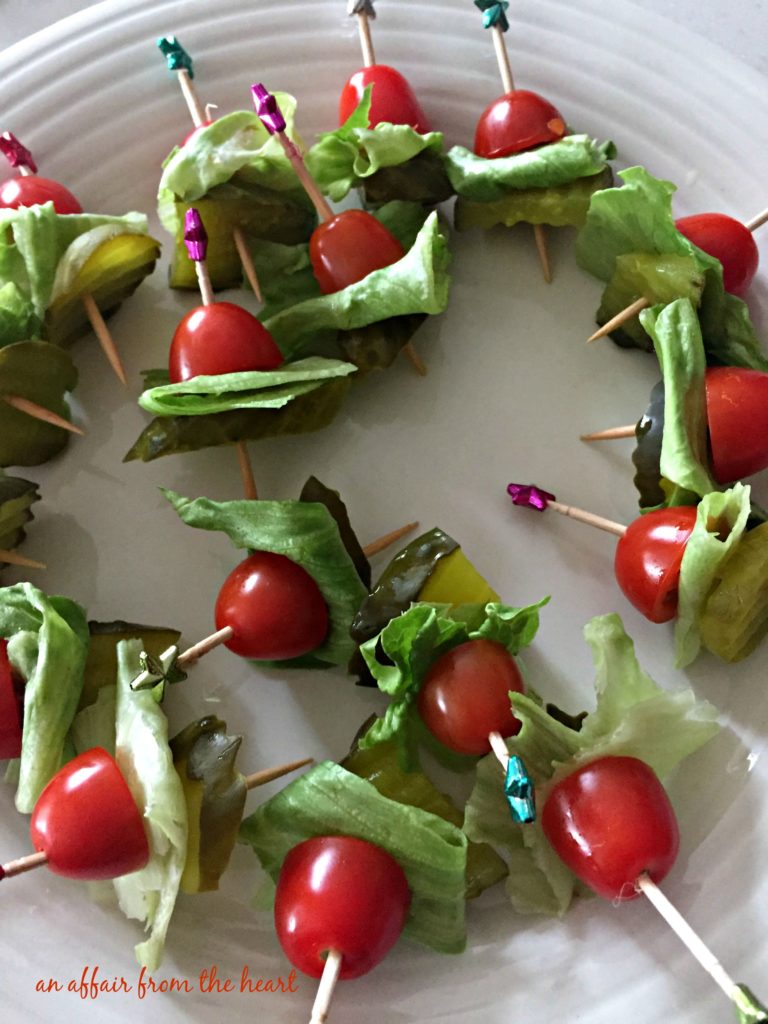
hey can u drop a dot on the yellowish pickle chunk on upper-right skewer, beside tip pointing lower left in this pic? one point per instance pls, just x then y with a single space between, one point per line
659 279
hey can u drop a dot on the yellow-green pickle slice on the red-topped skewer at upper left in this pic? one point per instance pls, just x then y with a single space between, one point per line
110 275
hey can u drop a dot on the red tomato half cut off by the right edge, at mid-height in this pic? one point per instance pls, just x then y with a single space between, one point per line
738 419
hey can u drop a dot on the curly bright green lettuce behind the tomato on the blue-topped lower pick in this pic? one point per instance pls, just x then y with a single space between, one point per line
401 656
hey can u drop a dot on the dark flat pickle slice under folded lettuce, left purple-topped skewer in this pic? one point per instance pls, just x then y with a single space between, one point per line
175 435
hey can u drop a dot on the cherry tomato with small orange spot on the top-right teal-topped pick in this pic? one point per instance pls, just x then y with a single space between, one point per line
518 121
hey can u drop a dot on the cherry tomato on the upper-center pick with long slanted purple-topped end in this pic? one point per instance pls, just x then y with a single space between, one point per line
350 247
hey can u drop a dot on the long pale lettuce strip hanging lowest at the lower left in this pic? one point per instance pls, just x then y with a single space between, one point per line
147 763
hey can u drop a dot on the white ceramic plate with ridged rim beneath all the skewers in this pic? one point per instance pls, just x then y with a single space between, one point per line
511 386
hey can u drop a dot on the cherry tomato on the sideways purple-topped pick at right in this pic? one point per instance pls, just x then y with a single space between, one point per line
649 558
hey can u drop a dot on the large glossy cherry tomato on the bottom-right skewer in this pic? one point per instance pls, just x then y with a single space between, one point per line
610 822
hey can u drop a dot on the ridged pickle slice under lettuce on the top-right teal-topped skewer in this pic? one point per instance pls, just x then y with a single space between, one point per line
559 206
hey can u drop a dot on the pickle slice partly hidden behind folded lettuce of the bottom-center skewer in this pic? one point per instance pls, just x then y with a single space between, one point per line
380 766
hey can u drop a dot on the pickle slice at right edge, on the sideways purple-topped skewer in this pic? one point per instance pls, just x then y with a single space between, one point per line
736 616
